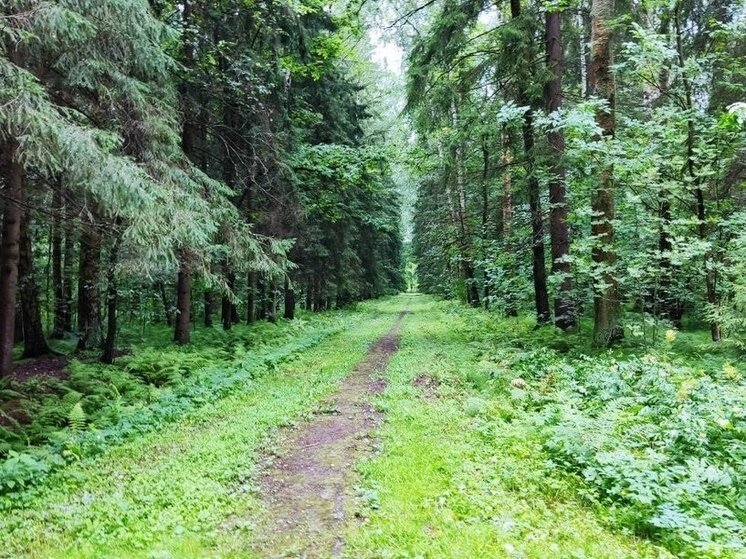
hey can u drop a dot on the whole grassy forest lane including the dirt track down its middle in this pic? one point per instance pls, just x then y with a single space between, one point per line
404 435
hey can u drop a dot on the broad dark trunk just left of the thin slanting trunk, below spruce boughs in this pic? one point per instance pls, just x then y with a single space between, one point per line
89 295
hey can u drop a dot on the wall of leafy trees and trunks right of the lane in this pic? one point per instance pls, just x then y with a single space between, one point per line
583 159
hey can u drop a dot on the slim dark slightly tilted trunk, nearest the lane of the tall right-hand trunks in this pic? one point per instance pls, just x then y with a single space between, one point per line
541 295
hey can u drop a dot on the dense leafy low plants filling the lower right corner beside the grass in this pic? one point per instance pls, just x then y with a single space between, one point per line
663 444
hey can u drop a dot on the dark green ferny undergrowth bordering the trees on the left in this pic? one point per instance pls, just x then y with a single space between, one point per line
97 406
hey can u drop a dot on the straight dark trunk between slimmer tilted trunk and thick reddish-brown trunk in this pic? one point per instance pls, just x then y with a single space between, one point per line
559 231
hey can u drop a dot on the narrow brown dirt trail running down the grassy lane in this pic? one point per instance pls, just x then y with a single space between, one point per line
306 486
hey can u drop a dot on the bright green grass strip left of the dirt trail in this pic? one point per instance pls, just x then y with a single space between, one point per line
185 490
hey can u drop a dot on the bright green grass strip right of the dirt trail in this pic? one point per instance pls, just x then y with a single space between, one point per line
463 472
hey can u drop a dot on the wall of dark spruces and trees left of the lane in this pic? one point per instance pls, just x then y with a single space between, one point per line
182 161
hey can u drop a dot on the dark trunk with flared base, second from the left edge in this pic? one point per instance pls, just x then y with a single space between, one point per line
34 343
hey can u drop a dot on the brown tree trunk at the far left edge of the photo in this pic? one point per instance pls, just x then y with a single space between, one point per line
12 174
